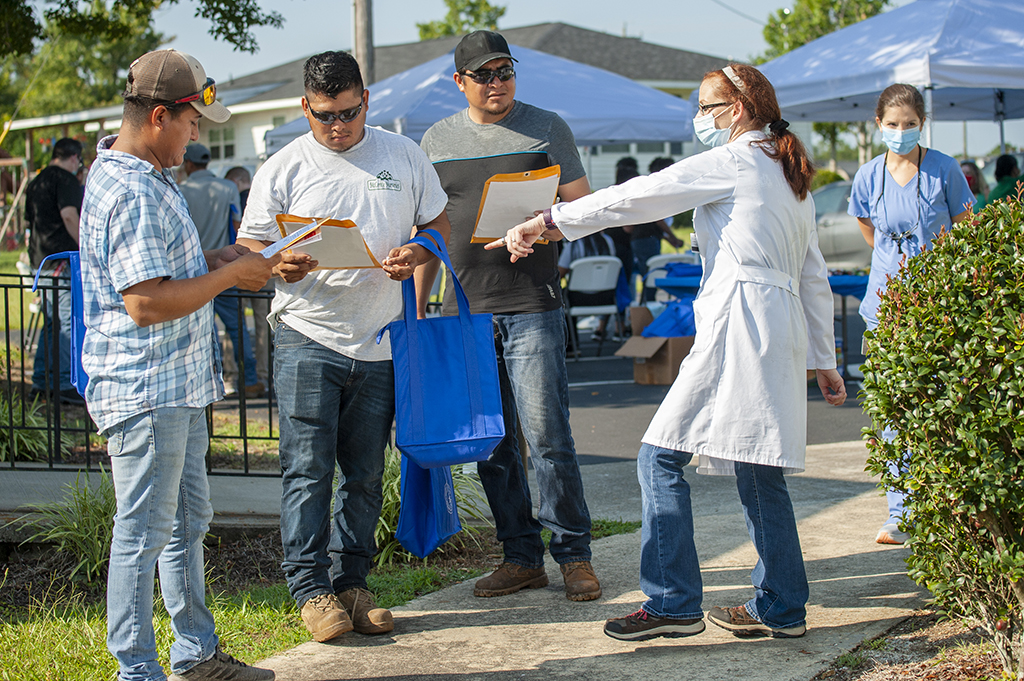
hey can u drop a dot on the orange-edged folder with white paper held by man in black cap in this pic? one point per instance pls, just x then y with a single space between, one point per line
514 198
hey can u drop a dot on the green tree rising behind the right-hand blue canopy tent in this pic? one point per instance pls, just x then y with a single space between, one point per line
808 21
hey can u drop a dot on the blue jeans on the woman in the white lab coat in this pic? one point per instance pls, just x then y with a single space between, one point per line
670 571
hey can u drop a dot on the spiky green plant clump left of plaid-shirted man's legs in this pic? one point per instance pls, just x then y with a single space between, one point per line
80 526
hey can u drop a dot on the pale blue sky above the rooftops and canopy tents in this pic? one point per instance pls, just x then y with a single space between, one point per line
701 26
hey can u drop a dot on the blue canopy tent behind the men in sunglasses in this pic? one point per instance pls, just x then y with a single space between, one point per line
600 107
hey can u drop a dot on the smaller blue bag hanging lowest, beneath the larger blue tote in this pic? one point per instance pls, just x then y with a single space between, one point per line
429 516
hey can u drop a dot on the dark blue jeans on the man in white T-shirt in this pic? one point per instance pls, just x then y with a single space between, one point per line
334 411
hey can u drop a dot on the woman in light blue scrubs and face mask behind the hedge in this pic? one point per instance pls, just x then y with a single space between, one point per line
903 200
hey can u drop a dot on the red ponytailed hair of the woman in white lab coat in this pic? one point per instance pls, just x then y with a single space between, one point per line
758 97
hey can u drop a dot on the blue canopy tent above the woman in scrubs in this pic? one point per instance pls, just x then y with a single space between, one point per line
966 57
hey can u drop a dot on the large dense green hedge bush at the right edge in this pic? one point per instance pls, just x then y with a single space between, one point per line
947 371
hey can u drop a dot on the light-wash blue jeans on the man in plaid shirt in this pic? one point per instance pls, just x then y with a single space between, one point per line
158 463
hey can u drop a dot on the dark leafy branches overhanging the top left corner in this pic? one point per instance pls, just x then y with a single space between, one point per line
232 21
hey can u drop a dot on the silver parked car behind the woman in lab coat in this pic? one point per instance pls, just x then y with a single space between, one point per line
840 238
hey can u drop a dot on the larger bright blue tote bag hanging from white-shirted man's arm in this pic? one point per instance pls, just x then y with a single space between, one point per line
448 399
